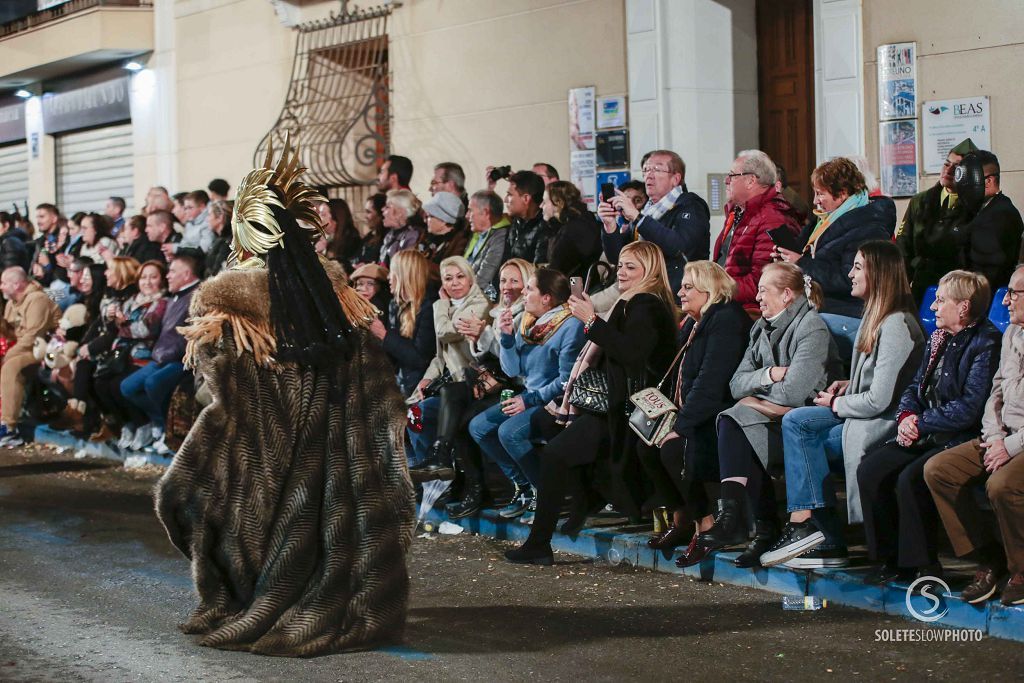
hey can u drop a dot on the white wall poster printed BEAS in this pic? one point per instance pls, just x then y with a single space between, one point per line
947 122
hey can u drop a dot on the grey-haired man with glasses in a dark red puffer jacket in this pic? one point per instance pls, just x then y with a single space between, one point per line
755 207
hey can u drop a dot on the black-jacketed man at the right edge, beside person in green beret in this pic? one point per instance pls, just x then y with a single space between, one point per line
996 230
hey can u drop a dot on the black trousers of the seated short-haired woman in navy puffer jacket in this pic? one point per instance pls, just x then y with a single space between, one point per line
901 519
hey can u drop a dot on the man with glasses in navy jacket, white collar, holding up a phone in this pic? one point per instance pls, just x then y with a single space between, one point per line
675 220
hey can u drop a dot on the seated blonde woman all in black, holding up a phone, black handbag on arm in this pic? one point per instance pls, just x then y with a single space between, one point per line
598 451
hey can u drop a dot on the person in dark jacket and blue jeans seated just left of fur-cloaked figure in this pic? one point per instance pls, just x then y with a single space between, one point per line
151 388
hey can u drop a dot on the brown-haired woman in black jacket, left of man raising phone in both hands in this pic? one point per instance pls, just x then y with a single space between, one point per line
576 242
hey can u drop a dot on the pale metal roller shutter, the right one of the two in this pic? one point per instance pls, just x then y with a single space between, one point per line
94 165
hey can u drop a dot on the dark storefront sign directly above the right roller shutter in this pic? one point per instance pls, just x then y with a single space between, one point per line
92 106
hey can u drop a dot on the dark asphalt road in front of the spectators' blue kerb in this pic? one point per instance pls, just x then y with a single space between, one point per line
91 590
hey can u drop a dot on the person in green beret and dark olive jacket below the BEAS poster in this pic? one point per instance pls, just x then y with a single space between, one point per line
932 234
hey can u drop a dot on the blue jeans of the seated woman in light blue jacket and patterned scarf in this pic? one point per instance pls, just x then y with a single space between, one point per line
506 442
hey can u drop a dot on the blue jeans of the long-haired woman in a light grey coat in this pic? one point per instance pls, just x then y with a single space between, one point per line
813 441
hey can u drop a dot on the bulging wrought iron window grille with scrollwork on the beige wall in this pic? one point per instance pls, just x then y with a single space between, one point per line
337 103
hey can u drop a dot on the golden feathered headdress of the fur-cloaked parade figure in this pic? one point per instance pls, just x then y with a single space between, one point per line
254 228
